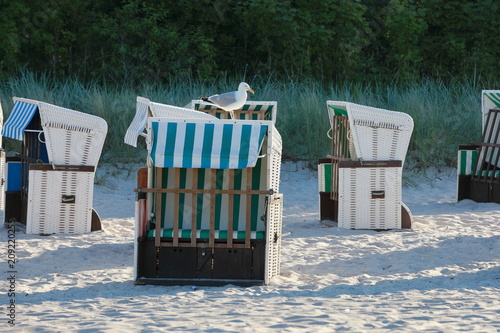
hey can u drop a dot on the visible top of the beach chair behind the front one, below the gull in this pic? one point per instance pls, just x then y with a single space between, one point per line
252 110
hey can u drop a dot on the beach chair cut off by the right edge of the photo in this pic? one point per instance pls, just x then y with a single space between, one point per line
478 168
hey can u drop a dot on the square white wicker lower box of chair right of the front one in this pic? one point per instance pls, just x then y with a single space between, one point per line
361 207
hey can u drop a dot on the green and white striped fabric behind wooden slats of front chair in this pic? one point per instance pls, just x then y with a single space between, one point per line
200 179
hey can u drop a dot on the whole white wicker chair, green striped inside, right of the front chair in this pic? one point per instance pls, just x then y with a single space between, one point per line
360 182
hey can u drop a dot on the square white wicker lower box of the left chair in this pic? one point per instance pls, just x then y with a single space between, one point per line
60 201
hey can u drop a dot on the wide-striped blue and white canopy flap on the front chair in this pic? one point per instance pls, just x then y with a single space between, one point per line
199 144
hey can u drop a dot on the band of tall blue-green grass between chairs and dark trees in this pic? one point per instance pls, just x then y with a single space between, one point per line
444 115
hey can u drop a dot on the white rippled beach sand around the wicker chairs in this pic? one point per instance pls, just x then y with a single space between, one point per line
441 276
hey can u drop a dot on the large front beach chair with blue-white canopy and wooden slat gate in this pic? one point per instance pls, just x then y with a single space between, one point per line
208 209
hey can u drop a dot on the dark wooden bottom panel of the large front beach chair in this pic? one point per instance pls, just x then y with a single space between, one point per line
199 265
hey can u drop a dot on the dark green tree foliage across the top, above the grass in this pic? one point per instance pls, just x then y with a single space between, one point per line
153 40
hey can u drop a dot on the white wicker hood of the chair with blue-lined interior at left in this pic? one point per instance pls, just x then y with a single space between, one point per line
72 137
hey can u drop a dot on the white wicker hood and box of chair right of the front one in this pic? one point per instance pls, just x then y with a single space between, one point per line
369 185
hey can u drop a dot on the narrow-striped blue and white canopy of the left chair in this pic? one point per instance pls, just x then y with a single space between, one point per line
19 119
